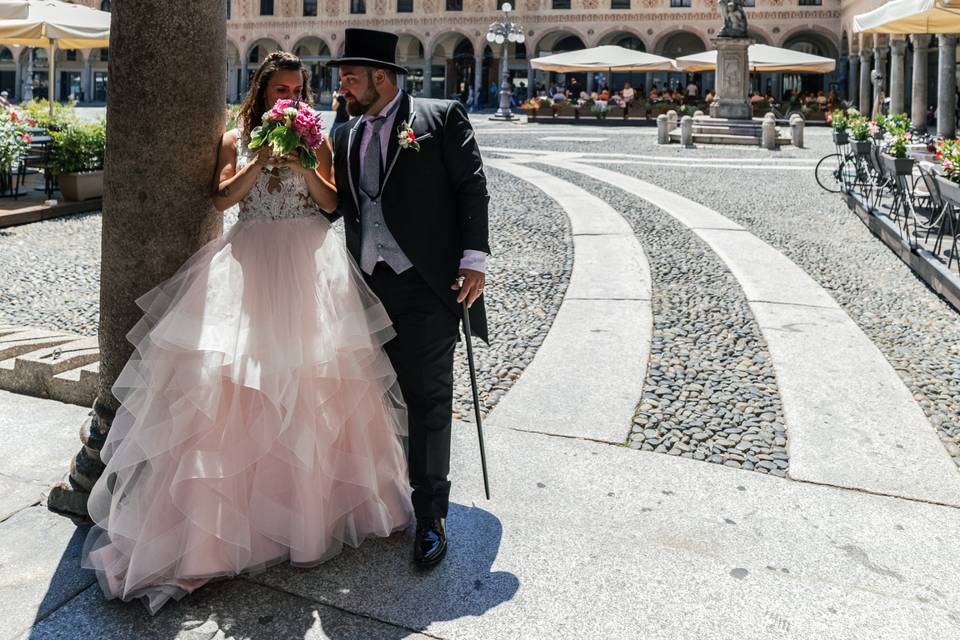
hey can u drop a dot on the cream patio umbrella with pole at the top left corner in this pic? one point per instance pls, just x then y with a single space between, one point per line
52 25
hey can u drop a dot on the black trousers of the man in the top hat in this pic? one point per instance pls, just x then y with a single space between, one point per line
422 355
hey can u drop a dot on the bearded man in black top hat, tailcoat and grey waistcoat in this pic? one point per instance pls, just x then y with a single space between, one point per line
415 215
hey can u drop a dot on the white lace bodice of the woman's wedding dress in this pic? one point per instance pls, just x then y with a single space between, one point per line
274 197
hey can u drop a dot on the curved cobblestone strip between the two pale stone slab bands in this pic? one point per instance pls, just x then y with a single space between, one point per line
710 392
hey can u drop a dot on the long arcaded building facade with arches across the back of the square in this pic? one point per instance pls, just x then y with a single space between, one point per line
443 44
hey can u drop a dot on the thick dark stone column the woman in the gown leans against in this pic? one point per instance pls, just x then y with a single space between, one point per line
155 214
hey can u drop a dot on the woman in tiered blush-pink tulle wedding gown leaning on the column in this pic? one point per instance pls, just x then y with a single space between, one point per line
260 418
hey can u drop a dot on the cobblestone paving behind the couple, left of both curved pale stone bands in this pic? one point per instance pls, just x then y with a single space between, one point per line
51 275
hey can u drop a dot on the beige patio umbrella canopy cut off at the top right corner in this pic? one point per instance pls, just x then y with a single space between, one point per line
911 16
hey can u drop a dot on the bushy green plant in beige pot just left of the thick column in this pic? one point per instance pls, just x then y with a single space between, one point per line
78 160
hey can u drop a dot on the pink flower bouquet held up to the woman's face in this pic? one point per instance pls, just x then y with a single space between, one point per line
288 127
